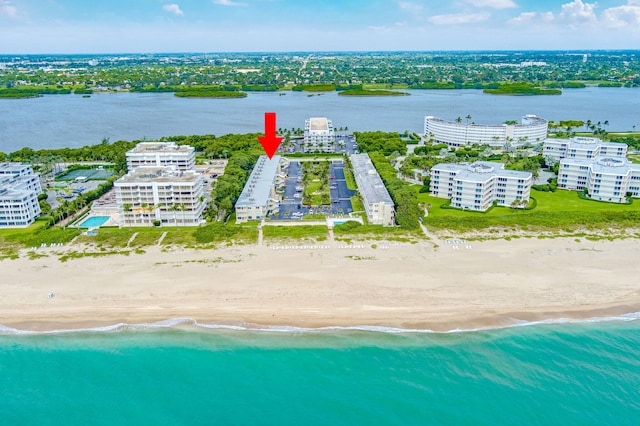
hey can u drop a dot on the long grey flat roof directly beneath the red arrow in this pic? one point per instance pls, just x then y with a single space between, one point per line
257 190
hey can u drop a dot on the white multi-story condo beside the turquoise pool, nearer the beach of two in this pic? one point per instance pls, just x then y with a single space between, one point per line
165 194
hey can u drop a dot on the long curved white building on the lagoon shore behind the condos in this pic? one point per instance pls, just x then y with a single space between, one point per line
532 129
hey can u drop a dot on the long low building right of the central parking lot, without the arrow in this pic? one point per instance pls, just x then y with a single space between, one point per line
376 199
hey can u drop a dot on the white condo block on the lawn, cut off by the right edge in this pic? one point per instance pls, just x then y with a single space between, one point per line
605 178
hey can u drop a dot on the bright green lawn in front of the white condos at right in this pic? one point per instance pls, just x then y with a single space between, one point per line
560 210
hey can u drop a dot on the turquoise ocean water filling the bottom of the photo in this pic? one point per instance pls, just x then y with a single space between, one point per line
571 373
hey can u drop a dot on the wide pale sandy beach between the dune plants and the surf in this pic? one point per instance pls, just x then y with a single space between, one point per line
491 283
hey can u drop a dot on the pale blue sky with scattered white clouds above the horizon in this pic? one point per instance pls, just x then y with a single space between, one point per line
113 26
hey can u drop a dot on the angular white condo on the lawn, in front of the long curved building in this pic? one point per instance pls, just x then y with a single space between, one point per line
478 185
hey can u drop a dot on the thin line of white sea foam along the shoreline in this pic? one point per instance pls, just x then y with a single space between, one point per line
190 322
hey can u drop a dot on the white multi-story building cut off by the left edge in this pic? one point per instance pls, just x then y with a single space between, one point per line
19 190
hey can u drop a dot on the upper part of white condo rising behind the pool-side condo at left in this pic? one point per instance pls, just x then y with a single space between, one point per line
161 154
